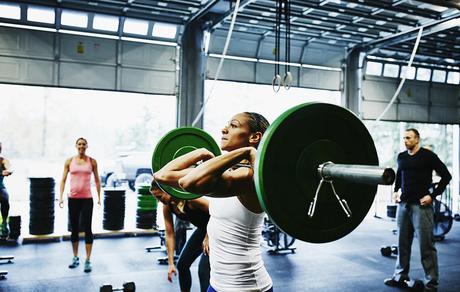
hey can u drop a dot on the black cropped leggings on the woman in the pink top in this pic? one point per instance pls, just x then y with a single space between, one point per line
83 208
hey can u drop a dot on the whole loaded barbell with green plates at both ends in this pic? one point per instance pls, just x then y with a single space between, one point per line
316 171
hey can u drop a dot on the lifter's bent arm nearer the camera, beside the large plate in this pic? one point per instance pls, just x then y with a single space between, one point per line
211 178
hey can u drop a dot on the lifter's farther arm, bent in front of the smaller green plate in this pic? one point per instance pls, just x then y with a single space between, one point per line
179 167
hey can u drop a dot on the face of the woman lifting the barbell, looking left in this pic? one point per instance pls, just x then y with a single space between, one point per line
236 133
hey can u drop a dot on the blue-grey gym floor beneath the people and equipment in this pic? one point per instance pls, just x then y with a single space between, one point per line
353 263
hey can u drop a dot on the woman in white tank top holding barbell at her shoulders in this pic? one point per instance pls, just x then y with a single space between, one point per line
235 226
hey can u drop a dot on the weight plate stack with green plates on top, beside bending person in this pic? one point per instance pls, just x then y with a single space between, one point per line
146 215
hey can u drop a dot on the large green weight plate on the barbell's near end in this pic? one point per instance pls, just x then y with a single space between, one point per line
286 175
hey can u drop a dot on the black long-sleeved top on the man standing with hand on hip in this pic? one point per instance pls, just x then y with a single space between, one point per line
414 175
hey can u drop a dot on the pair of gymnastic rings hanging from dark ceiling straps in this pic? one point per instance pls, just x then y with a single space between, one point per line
282 19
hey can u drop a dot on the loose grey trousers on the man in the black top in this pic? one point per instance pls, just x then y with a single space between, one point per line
415 218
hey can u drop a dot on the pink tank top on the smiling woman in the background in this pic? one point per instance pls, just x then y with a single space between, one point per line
80 179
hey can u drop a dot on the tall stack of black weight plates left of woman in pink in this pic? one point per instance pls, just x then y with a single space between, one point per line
41 205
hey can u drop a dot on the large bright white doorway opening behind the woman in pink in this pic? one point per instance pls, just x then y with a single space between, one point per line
39 126
